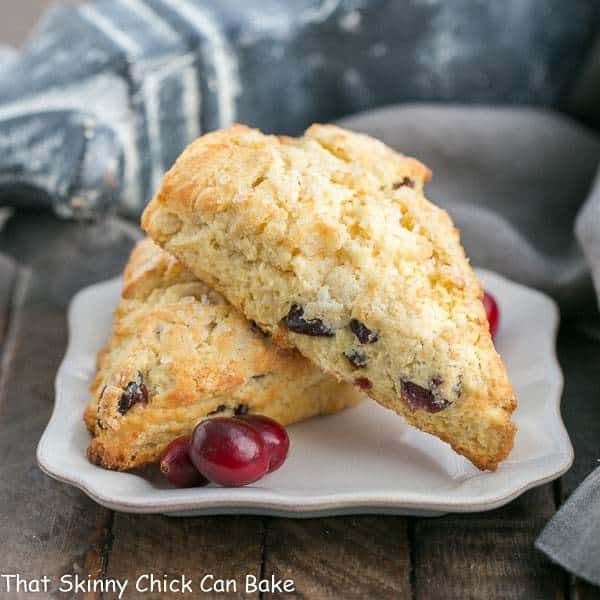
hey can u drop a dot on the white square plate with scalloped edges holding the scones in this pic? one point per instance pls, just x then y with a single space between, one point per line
363 460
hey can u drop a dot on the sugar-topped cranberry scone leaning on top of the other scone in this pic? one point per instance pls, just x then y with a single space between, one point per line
328 243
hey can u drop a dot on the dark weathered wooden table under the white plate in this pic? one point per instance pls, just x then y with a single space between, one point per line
48 528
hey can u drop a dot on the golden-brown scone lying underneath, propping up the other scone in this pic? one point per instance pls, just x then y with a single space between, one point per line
179 353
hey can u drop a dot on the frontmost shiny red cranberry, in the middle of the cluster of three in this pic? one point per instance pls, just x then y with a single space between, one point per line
229 451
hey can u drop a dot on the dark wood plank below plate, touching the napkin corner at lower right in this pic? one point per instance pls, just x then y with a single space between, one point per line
487 555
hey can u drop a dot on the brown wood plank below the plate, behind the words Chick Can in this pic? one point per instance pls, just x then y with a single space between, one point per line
227 547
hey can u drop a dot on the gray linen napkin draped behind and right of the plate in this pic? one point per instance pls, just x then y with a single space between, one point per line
522 187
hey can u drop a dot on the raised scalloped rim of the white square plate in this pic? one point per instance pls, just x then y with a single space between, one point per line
285 505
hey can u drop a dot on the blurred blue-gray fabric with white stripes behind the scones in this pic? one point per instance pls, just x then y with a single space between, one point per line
134 82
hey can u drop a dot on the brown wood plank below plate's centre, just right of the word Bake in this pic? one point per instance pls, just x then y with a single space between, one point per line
341 557
